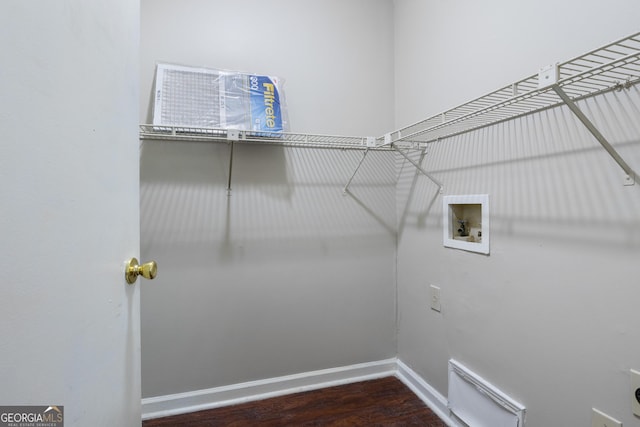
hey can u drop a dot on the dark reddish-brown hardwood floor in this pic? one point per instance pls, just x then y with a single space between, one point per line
380 402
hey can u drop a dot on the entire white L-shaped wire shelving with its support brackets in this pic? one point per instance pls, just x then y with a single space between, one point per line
615 66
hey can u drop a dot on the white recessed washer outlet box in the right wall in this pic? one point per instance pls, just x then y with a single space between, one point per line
466 222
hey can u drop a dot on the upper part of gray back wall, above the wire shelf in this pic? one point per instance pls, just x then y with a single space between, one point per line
336 57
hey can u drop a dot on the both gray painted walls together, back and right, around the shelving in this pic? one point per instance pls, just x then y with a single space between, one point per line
288 276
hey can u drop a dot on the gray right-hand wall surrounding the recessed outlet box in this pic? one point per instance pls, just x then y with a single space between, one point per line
550 316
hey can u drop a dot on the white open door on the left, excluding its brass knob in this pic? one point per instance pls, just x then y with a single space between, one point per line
69 216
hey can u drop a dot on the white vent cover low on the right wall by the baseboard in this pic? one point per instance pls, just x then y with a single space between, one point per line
480 404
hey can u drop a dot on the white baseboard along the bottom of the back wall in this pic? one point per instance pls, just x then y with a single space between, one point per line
182 403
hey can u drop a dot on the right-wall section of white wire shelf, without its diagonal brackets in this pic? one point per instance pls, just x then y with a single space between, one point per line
615 66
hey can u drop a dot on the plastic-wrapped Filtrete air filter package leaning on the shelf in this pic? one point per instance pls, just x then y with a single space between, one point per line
205 98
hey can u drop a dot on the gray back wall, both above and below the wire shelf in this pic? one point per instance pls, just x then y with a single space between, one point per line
287 275
